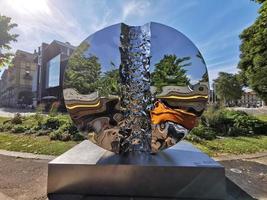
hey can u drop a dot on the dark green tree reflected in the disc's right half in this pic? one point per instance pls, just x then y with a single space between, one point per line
170 71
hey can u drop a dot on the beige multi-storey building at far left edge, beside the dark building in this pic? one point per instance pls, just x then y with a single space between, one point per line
16 81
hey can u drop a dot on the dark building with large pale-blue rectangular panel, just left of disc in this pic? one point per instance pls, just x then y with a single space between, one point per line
51 60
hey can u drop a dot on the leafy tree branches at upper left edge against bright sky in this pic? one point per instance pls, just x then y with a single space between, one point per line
5 38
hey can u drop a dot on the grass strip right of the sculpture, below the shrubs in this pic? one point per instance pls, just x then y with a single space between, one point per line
234 145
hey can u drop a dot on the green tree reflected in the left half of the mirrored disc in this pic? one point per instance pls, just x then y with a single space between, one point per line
82 73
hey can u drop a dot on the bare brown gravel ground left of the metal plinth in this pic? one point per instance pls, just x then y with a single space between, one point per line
22 179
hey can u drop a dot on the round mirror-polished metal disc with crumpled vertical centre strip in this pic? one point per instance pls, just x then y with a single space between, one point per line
136 88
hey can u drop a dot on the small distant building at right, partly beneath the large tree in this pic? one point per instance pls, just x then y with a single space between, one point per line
250 99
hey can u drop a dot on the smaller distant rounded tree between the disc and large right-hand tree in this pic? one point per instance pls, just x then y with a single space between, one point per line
227 87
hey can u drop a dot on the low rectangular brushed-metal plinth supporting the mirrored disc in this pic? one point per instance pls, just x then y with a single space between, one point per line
178 172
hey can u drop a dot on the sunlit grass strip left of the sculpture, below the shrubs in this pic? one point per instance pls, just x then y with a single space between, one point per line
33 144
